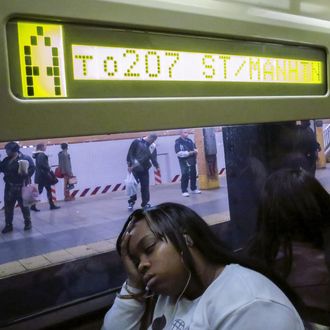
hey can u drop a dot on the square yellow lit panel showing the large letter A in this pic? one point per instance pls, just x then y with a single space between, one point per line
41 60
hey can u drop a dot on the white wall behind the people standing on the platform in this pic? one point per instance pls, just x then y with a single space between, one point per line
98 164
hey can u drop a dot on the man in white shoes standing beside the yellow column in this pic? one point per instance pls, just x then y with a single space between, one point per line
186 151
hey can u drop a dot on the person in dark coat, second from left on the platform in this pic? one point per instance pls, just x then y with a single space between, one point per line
42 176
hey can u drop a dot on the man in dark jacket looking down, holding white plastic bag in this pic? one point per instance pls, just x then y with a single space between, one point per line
141 154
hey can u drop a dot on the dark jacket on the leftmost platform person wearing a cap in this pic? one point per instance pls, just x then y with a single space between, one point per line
10 170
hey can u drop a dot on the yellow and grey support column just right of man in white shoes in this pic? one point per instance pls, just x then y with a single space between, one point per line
206 158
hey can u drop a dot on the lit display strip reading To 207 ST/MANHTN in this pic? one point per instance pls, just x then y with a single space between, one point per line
110 63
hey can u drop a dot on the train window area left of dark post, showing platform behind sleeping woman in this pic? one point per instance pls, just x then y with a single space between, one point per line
79 214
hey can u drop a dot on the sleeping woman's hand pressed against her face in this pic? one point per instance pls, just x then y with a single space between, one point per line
135 279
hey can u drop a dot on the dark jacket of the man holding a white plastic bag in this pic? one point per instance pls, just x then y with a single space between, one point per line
141 155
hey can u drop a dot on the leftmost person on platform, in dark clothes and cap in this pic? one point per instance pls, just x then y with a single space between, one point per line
17 169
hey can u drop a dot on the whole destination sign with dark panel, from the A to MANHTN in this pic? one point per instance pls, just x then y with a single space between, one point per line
81 61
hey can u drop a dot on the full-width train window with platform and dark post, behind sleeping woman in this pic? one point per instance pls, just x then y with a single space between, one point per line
86 187
